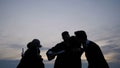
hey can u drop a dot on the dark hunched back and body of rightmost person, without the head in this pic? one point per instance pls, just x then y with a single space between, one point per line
95 56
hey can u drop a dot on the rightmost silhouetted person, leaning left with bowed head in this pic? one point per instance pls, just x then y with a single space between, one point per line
93 52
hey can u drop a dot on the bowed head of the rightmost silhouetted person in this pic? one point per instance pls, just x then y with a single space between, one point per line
81 35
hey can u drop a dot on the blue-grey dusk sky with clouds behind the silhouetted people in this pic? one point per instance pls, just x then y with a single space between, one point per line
23 20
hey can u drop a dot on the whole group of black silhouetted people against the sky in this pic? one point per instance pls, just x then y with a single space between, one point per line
68 53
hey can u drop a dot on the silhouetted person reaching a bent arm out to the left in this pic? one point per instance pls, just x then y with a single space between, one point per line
59 51
